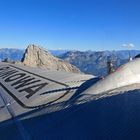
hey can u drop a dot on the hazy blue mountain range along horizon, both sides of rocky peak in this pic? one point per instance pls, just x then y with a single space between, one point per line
90 62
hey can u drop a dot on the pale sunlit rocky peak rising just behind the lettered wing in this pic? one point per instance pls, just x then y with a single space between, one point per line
37 56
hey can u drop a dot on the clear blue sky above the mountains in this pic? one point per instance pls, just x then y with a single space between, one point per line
70 24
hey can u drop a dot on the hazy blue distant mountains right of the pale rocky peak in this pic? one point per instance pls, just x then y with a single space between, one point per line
96 62
